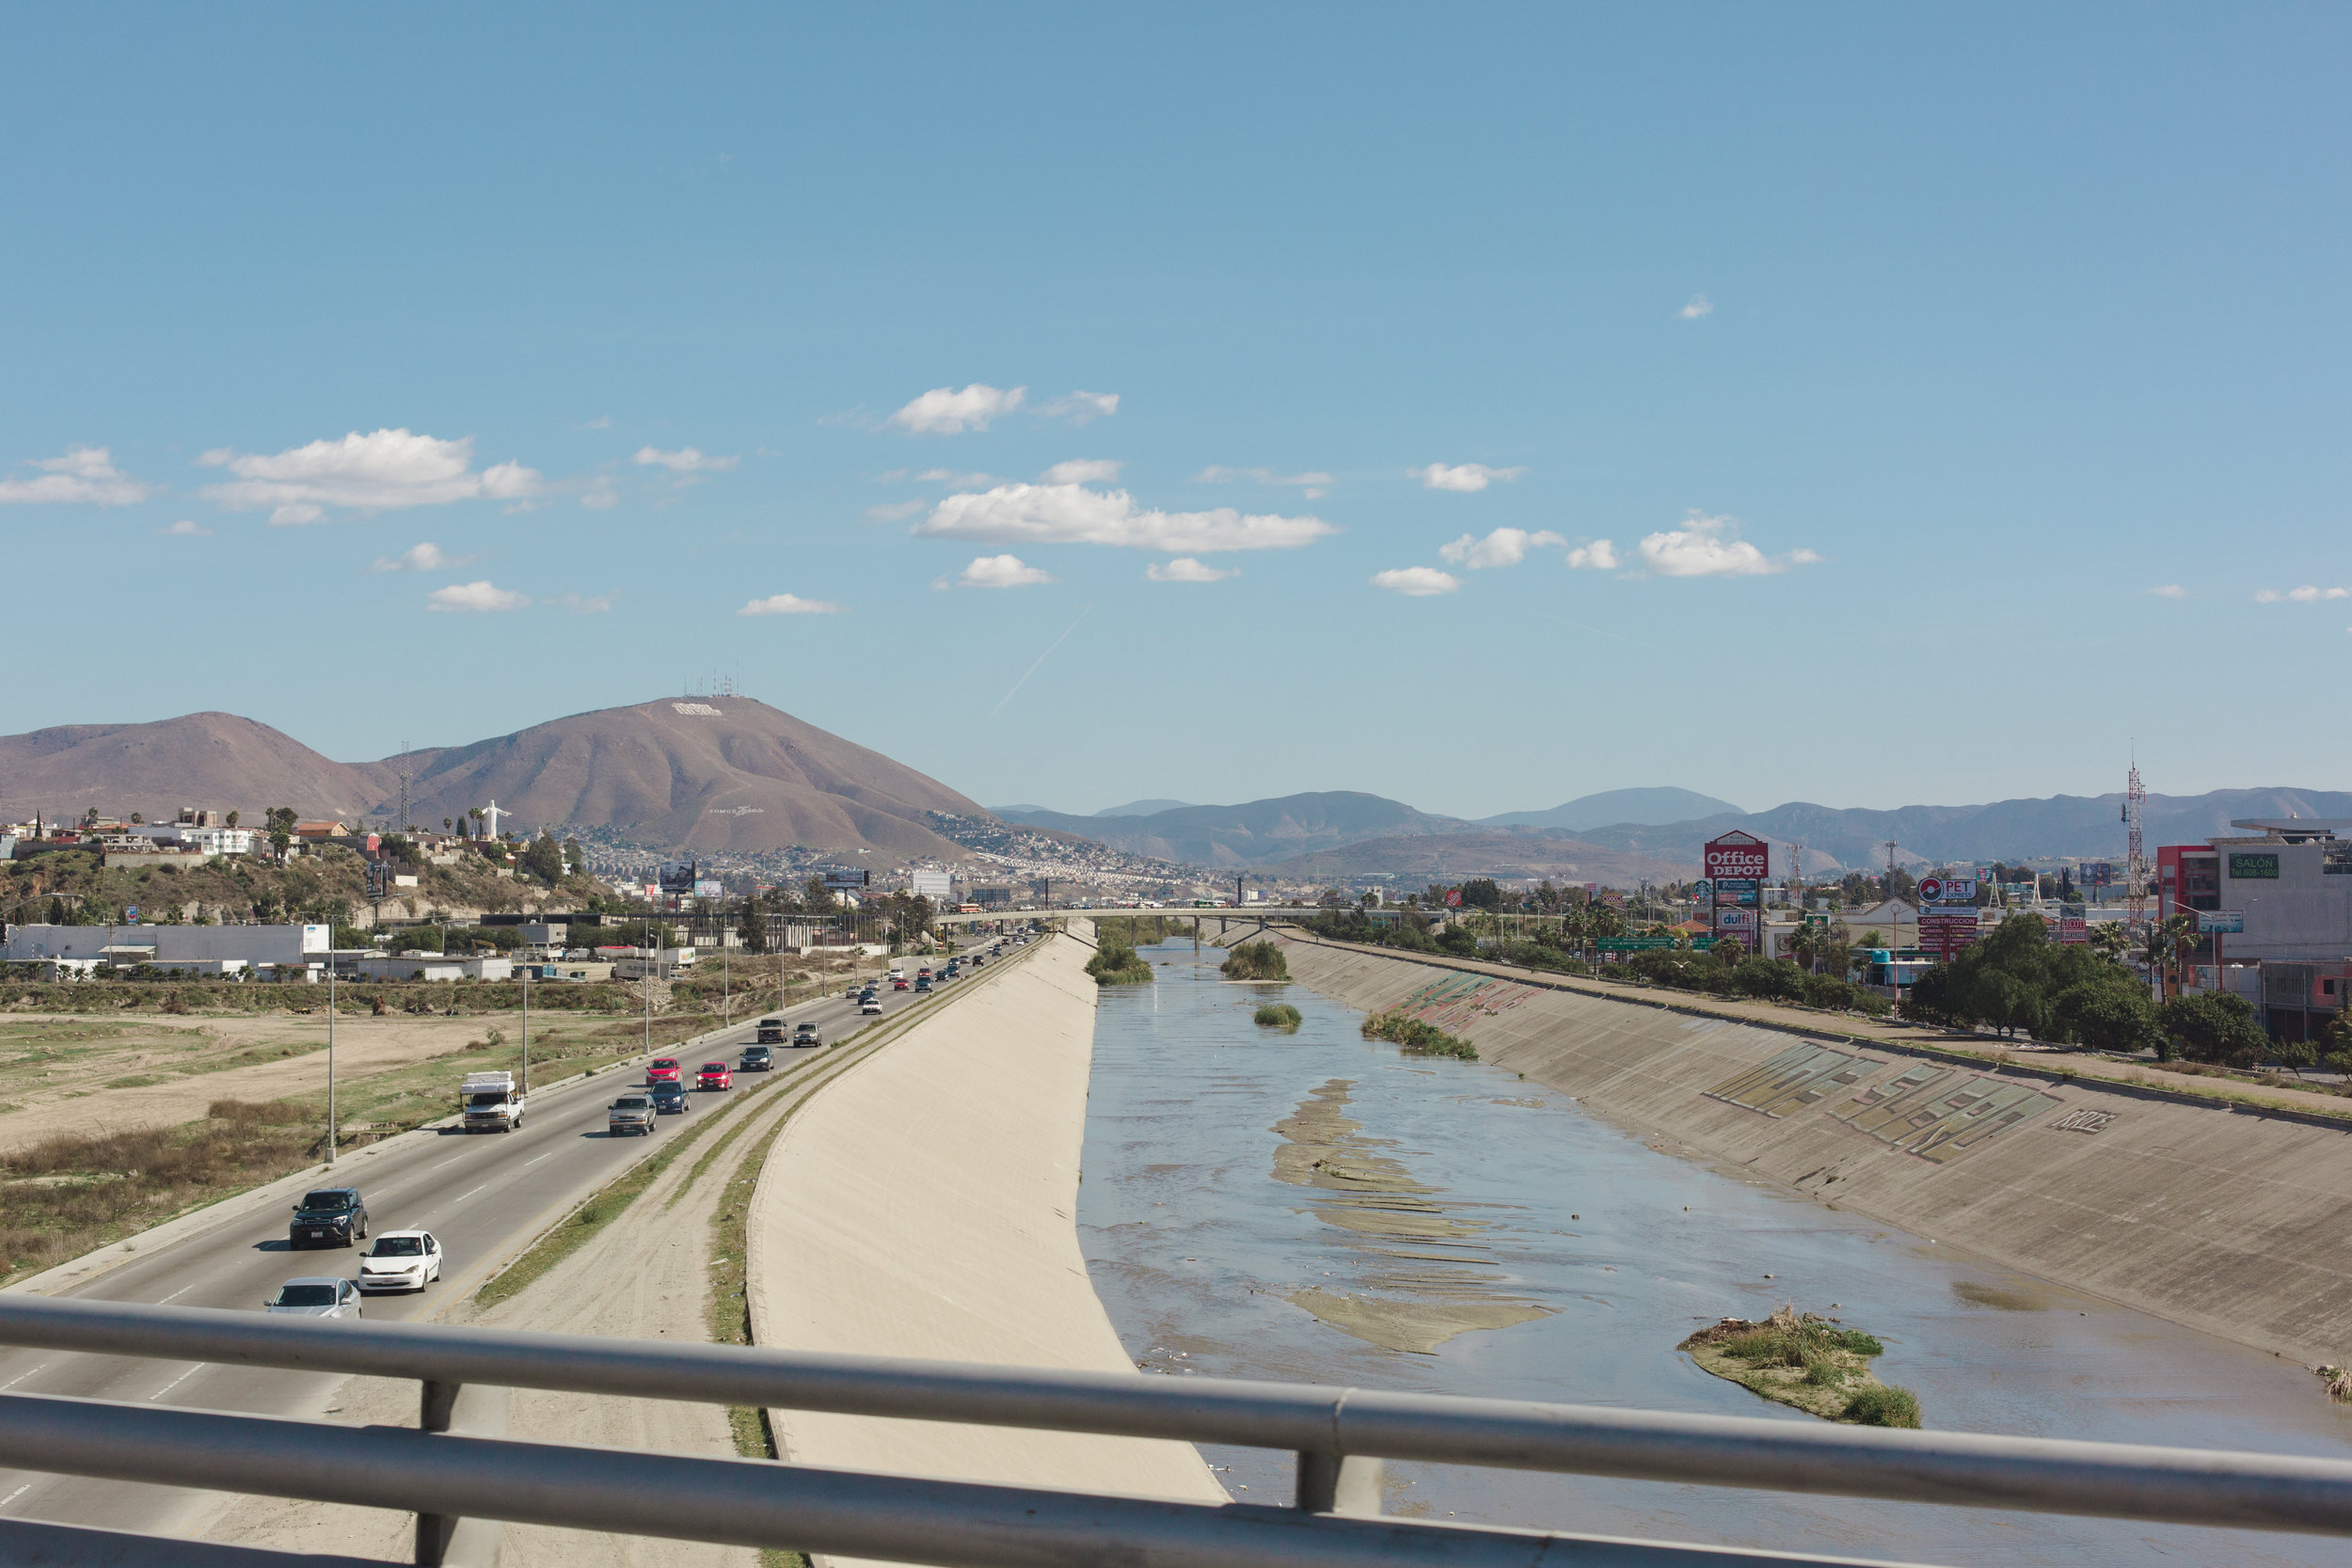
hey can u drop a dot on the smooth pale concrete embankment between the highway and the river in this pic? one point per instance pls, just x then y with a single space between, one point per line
926 1207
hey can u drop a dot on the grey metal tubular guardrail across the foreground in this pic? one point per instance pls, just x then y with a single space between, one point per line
462 1477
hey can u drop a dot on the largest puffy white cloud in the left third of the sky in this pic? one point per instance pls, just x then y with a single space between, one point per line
370 474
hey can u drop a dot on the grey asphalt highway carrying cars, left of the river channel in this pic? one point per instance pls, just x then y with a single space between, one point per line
483 1195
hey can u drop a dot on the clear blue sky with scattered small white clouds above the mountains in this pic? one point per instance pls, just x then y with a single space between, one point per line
1899 356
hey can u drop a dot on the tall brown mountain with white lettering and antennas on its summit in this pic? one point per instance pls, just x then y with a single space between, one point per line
695 775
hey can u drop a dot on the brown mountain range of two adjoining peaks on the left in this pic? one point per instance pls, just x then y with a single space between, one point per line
676 772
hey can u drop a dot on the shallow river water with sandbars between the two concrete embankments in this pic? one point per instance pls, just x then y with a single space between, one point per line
1499 1240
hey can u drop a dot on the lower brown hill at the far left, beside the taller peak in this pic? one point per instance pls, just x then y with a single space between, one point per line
196 760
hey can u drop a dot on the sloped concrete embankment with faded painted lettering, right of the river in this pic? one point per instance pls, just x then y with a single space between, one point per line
2229 1221
